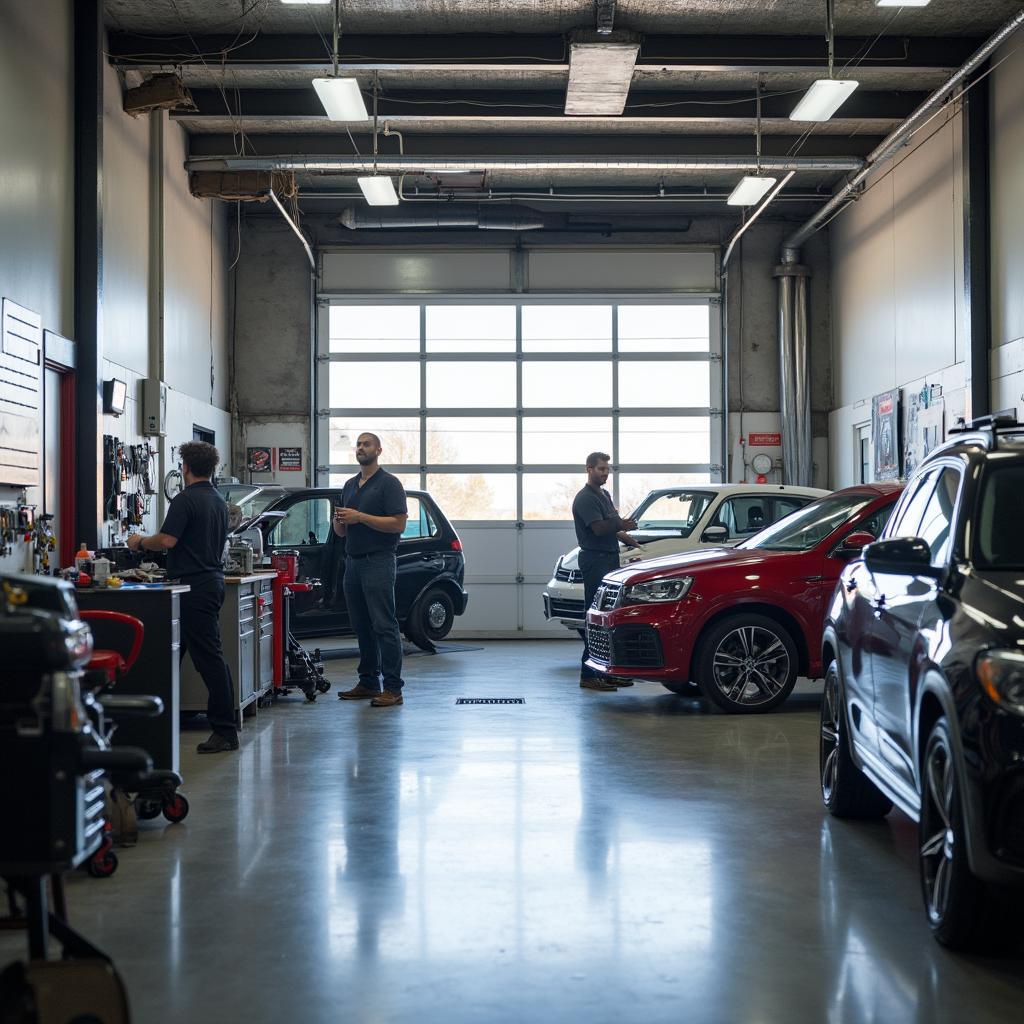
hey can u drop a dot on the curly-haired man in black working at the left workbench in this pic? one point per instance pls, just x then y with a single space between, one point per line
193 535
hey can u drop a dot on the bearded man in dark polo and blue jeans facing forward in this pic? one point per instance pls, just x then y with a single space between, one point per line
372 518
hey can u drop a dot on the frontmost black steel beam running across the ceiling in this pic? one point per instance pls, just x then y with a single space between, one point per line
127 49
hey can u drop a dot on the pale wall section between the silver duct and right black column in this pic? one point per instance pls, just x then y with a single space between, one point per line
899 289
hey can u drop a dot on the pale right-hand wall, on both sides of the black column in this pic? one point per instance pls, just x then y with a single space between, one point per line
899 262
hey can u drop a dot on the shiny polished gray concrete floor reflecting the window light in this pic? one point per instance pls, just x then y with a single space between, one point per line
625 858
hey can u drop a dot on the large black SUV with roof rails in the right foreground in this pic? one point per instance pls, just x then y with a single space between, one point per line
924 696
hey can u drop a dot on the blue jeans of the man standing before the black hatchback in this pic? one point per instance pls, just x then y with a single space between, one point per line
370 595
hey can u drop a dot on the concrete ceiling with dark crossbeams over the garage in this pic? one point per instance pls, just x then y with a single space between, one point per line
488 79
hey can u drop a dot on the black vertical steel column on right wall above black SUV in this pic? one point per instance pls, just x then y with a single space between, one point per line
977 302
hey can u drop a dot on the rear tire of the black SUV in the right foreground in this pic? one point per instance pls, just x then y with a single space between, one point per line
846 791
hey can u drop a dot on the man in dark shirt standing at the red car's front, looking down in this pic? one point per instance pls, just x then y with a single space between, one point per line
600 529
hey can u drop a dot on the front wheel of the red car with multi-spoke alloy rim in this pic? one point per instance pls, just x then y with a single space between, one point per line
747 652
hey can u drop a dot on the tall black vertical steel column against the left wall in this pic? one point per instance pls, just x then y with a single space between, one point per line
89 268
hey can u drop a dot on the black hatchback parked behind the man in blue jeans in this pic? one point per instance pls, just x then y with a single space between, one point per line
432 566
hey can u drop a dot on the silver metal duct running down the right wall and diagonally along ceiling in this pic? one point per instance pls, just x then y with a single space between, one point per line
794 336
